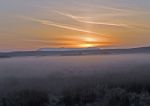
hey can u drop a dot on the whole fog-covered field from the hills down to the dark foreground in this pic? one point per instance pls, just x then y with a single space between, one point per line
83 77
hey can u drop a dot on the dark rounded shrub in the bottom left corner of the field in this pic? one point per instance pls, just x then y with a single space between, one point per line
26 98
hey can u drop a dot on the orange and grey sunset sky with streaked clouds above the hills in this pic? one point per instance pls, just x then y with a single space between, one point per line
33 24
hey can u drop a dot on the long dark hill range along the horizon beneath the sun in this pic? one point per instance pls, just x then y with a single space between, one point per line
75 51
